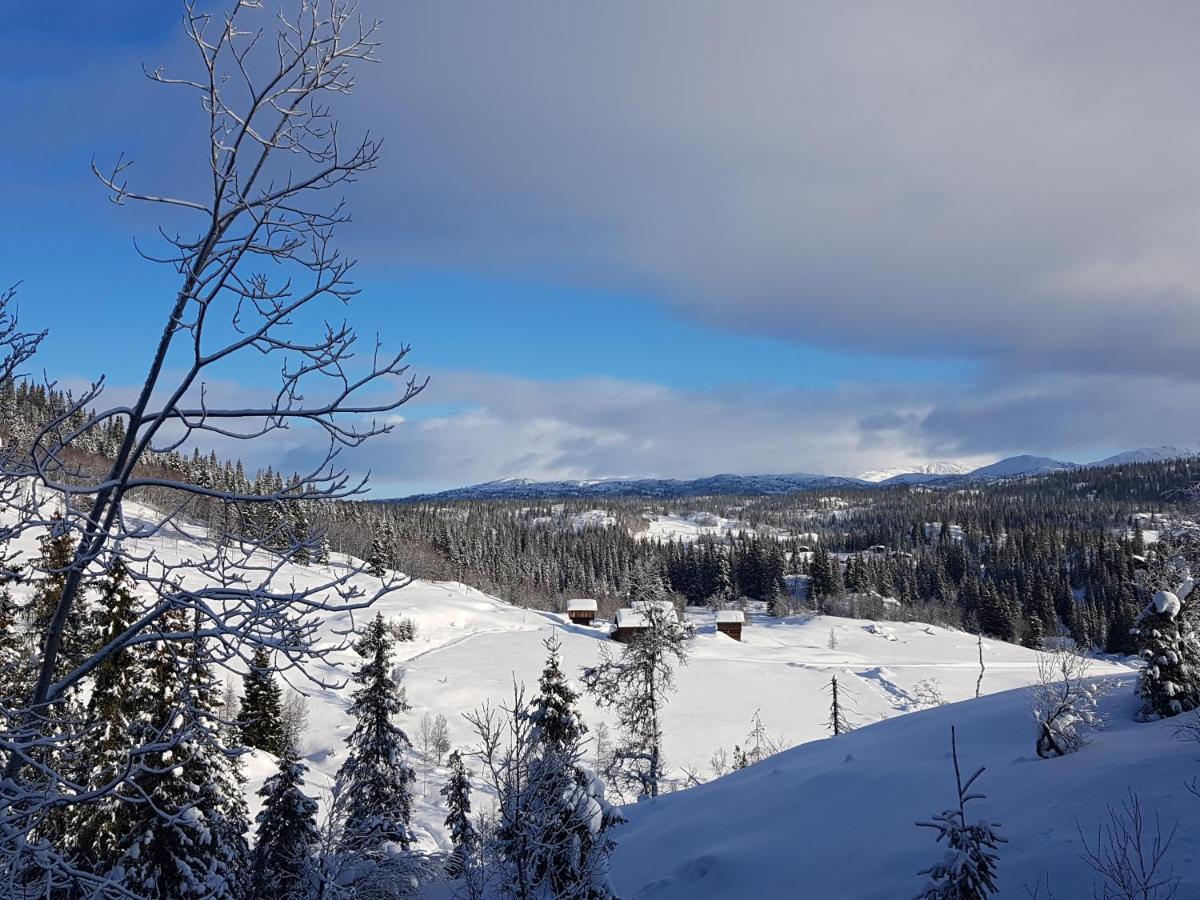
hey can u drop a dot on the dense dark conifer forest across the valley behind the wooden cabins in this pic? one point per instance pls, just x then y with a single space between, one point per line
1018 561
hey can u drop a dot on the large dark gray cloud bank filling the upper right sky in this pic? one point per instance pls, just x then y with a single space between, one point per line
1015 183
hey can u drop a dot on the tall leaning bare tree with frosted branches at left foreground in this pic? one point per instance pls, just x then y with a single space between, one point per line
254 253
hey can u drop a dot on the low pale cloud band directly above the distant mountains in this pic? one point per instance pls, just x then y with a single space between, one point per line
610 428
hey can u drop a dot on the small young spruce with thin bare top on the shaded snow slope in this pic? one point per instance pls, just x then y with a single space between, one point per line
968 871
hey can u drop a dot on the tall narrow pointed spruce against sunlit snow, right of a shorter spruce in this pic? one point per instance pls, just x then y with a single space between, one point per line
374 785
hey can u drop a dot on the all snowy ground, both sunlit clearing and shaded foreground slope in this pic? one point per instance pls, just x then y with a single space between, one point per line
817 812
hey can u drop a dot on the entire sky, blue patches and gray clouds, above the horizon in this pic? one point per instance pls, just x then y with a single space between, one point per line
688 239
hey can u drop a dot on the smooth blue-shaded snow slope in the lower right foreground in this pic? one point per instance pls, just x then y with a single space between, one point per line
835 819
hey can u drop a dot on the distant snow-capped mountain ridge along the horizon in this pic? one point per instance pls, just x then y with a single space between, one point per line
941 475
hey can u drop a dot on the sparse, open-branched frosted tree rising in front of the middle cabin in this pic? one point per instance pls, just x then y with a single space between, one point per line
637 686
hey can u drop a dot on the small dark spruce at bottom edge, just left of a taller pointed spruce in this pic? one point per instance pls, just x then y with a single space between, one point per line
284 865
